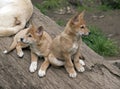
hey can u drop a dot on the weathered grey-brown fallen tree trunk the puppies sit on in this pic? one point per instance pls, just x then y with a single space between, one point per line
14 73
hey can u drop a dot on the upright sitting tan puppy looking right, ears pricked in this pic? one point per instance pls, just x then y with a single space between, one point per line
66 46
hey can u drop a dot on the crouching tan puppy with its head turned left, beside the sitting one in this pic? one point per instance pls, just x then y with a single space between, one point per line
39 42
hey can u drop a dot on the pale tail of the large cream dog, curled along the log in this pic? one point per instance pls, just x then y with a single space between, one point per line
8 31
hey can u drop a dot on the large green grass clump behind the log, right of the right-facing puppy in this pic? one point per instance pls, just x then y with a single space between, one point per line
100 43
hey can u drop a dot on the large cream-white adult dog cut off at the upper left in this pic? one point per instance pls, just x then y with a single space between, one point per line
14 15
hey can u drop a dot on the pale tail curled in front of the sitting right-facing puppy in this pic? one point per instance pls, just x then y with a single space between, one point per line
55 61
